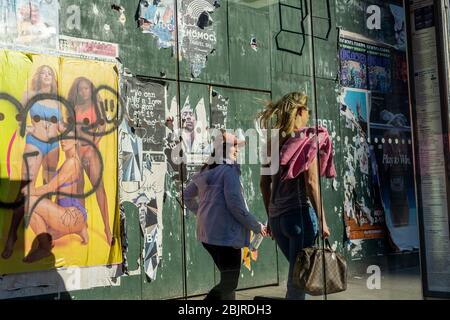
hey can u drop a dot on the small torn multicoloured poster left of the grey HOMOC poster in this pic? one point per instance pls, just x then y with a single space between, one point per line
157 18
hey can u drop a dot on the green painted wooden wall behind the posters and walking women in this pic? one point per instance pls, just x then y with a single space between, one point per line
246 77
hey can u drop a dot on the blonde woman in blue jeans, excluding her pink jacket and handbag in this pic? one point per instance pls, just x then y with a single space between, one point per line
286 200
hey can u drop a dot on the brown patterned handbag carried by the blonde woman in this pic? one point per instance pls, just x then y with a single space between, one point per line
319 271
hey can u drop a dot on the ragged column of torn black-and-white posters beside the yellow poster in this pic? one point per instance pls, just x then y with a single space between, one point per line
142 164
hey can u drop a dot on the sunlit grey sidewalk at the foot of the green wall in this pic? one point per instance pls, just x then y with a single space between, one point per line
396 285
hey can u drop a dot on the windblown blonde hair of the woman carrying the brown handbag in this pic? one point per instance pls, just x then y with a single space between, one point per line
285 111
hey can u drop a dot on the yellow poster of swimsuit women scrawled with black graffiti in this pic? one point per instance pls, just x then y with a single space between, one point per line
59 122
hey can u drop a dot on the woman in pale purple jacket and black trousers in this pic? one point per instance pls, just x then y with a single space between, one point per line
223 220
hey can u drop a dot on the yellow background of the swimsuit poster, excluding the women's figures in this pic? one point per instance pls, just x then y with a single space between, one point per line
16 73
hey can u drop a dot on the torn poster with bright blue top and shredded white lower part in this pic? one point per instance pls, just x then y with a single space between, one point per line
363 212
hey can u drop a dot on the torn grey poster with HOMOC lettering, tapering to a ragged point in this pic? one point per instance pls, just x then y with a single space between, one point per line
197 32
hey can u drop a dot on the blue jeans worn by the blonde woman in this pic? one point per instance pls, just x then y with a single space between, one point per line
293 231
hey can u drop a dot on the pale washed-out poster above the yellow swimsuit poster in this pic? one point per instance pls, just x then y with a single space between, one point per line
37 23
